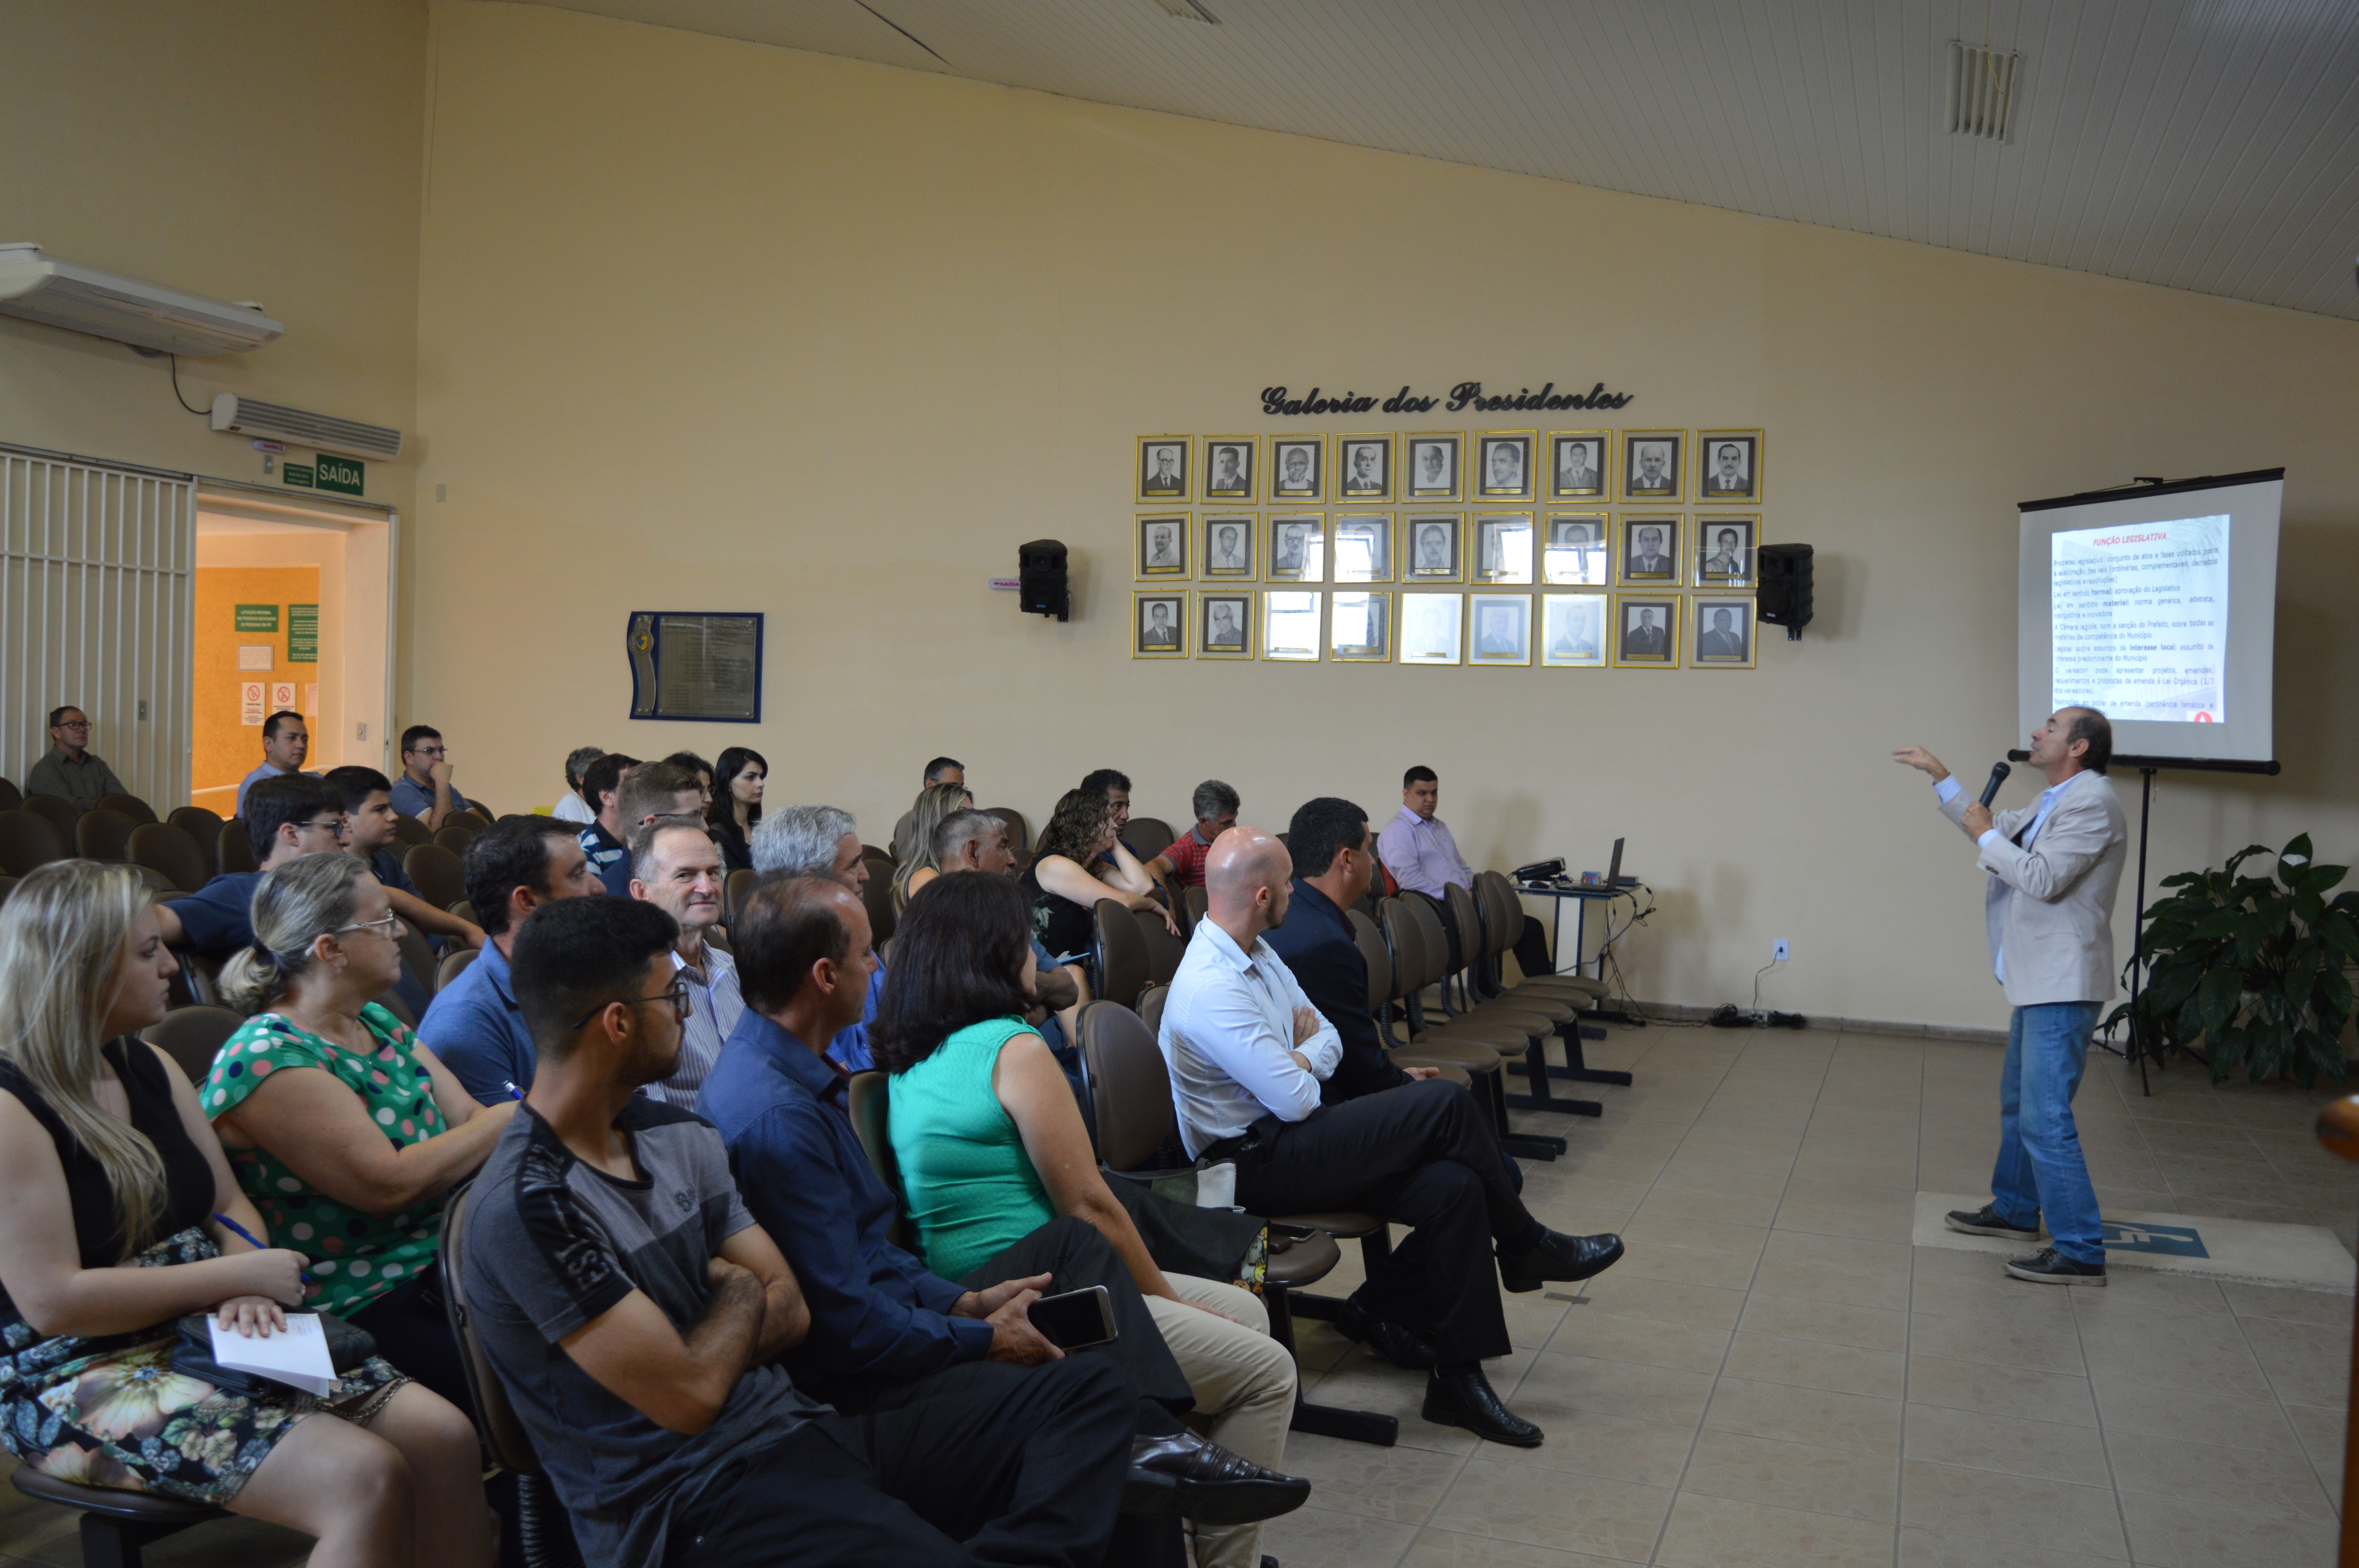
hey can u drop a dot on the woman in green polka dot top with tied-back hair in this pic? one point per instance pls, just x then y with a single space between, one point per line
339 1121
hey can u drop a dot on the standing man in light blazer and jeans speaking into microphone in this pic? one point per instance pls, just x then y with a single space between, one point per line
2056 869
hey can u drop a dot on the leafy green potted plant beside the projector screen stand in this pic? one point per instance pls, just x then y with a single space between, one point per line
2252 973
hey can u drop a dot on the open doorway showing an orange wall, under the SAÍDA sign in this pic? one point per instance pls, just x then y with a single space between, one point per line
294 610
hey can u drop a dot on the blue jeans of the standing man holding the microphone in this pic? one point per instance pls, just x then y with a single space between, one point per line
2039 1149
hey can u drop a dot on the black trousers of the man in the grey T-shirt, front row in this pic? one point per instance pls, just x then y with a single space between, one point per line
973 1465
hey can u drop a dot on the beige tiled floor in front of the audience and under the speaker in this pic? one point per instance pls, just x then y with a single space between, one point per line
1775 1376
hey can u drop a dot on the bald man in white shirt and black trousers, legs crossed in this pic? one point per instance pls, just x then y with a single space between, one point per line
1247 1055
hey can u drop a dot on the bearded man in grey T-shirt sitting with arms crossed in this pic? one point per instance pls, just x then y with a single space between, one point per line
633 1312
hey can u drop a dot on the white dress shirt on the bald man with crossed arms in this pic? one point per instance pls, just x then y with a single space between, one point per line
1230 1036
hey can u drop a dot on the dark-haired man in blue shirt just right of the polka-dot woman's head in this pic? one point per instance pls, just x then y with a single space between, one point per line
475 1025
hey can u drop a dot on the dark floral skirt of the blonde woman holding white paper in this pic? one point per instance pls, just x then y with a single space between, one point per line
114 1411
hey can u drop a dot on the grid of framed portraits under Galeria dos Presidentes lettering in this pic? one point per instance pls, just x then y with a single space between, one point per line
1426 548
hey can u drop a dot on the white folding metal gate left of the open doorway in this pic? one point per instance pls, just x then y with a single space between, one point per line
96 610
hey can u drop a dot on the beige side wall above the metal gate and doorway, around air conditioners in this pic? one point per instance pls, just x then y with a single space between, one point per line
244 150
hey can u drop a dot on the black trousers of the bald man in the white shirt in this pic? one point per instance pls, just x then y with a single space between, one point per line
1424 1157
